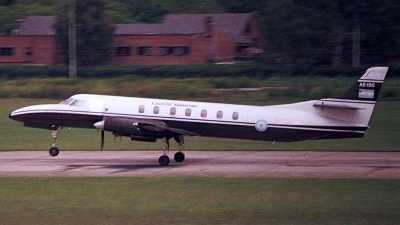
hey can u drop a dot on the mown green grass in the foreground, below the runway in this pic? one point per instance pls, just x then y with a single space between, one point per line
186 200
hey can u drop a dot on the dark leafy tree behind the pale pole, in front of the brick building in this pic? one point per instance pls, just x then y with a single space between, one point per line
94 32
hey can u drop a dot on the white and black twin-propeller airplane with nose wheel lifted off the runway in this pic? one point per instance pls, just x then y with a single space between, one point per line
144 119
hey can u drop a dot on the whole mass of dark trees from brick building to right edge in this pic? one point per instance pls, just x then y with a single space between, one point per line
317 32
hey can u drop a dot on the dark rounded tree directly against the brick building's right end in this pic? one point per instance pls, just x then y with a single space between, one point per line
295 31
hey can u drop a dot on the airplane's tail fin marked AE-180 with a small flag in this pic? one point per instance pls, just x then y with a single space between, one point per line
357 103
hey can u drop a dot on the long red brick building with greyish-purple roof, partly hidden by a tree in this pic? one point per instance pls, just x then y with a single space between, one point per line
180 39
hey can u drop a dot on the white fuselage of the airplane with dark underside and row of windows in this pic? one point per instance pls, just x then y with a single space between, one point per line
282 123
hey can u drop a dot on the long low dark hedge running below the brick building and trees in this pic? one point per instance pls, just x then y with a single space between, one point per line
188 71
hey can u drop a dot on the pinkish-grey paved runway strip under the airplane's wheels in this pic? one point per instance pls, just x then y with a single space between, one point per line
257 164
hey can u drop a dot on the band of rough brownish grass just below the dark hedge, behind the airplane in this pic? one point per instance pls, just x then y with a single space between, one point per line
200 89
